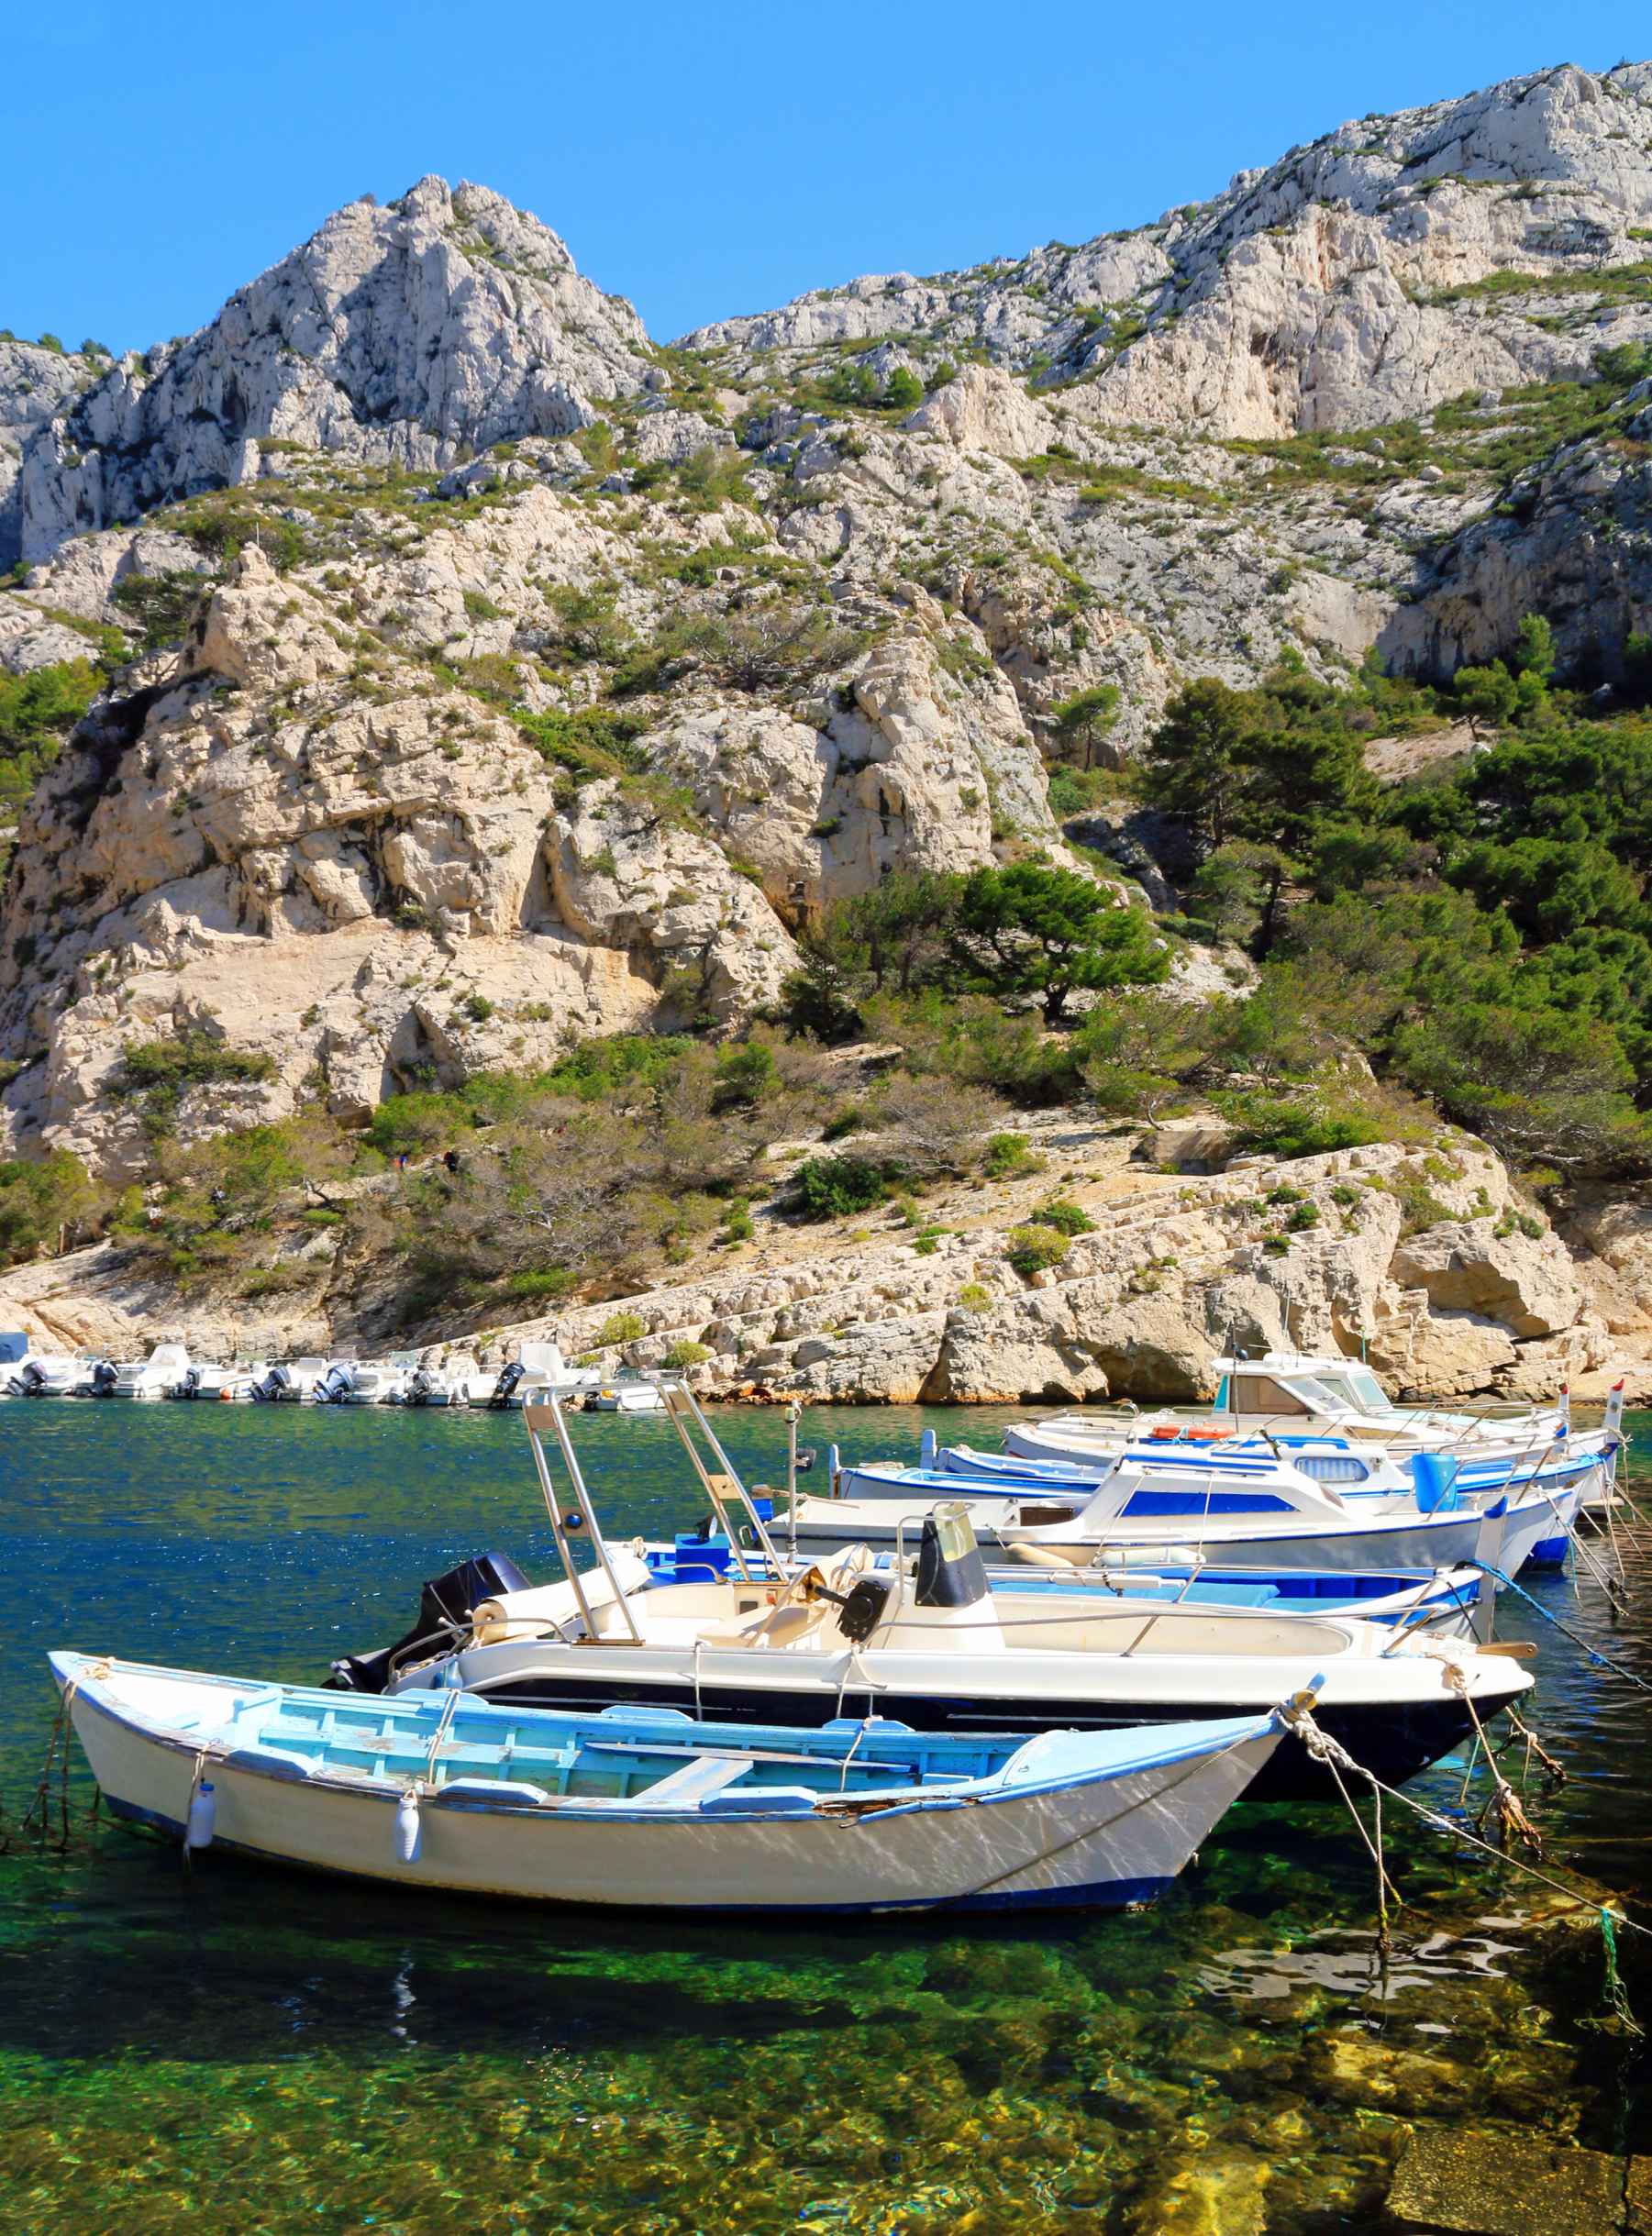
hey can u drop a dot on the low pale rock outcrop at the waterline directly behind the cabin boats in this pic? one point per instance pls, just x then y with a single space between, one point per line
1172 1276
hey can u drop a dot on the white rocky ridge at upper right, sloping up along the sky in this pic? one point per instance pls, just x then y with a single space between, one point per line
1302 296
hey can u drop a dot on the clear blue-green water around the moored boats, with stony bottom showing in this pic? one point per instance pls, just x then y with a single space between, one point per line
265 2054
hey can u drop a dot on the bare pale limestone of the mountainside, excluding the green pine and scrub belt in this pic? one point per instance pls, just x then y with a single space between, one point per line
497 679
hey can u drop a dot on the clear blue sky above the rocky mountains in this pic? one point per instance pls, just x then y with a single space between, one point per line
699 158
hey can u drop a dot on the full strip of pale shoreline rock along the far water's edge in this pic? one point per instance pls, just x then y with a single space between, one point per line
1177 1269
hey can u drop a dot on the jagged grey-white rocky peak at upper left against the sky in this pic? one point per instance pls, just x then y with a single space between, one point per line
395 337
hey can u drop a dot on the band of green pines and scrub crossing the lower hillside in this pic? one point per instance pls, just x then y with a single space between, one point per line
1472 942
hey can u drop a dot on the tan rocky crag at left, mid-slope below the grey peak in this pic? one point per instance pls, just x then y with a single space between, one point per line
361 889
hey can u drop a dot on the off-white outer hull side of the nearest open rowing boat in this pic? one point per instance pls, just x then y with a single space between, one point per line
1101 1844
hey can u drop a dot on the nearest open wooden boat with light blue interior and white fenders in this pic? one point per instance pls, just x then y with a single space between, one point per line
647 1808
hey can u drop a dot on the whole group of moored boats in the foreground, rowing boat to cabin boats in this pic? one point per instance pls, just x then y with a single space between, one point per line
980 1680
